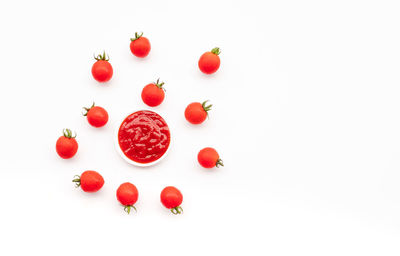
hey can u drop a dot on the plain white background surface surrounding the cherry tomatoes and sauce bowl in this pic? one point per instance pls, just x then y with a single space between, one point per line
305 117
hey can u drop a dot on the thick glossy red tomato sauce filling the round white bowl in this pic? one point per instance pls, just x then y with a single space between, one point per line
144 136
